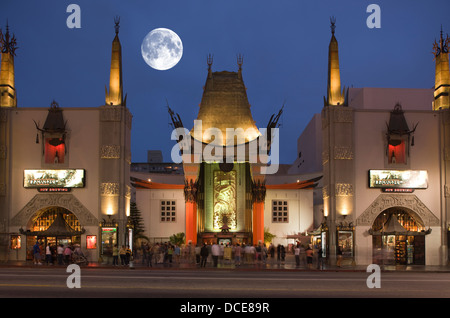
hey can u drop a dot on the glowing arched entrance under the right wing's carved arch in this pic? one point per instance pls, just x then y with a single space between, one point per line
398 238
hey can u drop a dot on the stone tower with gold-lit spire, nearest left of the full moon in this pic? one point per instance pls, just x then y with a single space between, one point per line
115 153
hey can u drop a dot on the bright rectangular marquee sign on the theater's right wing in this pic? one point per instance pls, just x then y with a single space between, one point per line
405 179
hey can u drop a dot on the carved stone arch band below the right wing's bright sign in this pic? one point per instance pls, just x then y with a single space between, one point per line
386 201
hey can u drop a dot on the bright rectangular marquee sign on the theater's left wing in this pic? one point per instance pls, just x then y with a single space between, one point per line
64 178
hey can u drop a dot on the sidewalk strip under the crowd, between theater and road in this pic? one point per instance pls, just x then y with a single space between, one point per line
271 264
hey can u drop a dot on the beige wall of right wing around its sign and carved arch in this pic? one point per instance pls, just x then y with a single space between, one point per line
370 129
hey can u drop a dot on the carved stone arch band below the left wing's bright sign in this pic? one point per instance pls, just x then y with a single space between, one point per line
67 201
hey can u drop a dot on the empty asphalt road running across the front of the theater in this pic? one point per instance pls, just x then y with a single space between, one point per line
128 283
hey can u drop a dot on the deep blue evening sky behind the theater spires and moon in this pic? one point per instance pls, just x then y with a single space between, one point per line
284 44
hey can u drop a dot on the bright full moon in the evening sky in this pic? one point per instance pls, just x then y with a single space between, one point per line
162 49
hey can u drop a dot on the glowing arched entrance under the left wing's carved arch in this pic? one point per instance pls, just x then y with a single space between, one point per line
54 226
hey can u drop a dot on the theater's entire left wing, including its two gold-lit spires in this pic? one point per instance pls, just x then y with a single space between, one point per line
64 172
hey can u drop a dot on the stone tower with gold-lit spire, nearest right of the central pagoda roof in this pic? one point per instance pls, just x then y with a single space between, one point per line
337 152
